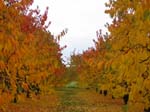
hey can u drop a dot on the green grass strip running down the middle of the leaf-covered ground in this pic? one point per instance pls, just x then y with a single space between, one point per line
70 102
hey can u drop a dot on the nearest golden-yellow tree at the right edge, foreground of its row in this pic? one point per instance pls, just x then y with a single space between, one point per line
130 39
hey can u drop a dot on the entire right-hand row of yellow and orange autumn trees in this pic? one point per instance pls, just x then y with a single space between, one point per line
120 61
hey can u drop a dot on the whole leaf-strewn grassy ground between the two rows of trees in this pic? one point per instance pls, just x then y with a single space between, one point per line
67 100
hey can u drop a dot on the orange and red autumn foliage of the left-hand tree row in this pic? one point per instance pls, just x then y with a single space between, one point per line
30 57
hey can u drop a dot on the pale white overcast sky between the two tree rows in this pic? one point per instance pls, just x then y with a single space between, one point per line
82 18
